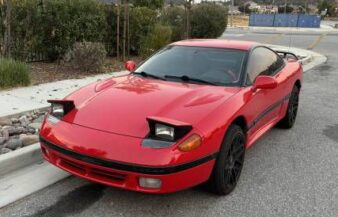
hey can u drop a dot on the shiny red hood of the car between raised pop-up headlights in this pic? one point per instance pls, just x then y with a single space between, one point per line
121 105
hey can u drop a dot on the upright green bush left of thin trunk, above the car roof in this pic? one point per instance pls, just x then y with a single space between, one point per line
175 18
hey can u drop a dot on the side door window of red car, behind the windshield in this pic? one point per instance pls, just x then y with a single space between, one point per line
263 62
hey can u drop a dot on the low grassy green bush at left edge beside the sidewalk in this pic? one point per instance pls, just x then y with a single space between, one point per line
13 73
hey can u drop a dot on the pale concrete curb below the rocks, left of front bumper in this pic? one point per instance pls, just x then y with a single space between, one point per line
20 158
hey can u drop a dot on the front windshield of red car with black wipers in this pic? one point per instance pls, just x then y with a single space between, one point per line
193 64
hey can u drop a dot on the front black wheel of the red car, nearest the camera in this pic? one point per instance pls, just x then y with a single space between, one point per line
229 162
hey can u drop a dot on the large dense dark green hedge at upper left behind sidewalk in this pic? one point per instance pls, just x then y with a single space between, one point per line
52 27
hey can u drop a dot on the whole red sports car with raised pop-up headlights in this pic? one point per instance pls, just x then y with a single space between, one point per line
182 118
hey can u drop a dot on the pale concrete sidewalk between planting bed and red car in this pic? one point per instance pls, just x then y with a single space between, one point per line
19 100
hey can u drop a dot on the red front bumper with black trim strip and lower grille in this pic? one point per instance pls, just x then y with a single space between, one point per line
126 176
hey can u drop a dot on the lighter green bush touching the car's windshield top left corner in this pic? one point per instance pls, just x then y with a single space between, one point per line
156 39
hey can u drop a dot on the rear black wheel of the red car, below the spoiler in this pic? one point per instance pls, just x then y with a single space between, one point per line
291 114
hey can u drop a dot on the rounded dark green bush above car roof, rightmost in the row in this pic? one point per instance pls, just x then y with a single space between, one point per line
208 20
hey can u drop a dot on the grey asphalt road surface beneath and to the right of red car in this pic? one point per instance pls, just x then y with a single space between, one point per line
286 173
